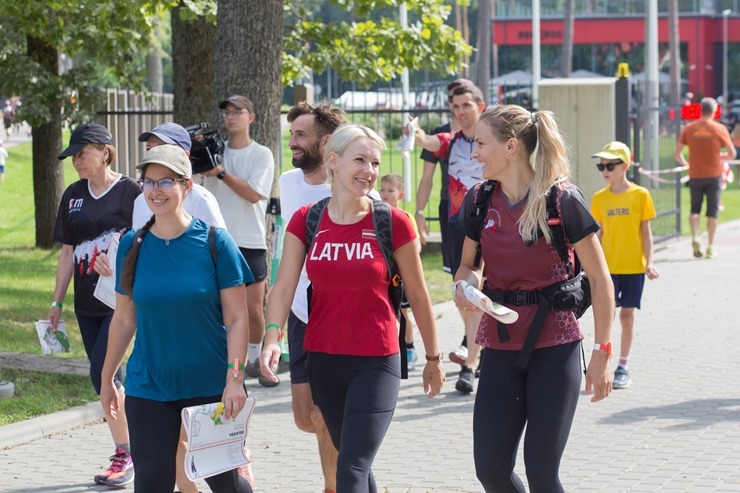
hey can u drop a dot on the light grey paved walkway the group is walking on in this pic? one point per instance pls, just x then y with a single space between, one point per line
676 429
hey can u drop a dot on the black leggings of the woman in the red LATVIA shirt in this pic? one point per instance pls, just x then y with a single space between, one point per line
357 396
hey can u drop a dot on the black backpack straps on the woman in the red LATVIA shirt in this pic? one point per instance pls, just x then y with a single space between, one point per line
382 224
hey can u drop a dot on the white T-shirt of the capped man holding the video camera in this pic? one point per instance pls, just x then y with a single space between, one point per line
245 220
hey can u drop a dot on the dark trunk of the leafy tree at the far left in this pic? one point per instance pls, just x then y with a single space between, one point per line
48 171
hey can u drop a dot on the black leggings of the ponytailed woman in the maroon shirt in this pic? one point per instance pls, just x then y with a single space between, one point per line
544 397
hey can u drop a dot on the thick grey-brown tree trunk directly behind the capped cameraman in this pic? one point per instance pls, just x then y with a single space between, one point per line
249 62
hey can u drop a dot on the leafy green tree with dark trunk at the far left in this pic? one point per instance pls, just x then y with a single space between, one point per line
34 34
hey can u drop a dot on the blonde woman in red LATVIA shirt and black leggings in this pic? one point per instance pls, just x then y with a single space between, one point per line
352 338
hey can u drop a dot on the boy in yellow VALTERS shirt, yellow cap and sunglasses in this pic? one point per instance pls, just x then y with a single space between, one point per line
624 211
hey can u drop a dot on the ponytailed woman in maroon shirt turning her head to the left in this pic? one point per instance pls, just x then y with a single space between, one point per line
518 255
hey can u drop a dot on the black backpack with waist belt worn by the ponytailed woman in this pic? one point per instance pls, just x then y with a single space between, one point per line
572 294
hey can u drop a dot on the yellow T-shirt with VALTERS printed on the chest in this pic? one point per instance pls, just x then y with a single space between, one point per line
621 216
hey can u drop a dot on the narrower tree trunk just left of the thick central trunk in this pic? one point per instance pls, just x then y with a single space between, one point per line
192 69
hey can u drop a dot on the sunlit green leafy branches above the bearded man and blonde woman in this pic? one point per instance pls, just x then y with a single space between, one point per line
365 50
